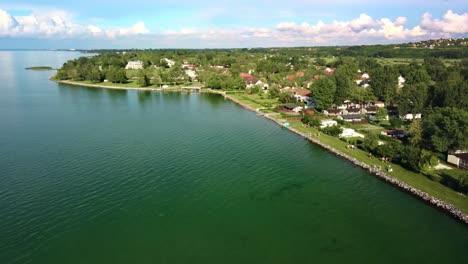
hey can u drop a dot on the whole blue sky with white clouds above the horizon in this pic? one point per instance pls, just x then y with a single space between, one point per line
222 23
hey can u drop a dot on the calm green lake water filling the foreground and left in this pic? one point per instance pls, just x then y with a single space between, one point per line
101 176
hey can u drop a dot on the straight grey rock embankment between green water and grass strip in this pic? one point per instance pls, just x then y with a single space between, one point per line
444 206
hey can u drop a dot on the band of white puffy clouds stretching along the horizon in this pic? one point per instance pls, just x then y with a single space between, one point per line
361 30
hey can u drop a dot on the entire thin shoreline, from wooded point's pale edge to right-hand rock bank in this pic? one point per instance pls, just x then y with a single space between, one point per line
437 203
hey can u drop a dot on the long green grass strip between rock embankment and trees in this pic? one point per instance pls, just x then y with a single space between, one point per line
416 180
